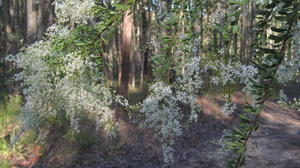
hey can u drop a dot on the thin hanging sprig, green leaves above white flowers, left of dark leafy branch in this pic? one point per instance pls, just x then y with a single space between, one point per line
229 68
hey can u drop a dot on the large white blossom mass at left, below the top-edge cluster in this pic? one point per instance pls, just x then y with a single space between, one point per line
70 88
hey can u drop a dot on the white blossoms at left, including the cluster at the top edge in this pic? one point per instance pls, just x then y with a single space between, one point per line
59 84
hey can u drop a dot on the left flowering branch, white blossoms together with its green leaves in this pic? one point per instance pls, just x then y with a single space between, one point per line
62 76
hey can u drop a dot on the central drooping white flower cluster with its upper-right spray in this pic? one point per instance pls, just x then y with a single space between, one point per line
163 109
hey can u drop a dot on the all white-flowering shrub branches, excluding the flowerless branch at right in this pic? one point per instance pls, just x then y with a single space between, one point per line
62 76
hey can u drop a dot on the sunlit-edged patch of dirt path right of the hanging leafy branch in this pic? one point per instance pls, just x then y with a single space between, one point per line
277 143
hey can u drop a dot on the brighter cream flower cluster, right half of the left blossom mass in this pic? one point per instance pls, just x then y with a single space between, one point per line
81 93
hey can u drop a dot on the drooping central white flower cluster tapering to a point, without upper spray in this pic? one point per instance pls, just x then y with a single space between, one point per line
162 111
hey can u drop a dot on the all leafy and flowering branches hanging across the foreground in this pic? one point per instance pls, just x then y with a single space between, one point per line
63 75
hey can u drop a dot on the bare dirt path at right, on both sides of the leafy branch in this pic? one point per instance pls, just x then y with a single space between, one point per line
275 145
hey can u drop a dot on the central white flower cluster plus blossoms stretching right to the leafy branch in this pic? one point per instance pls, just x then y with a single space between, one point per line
164 108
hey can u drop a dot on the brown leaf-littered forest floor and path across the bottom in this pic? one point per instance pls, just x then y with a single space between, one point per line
276 144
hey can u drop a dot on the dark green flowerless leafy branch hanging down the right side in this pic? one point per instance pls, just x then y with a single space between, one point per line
271 50
